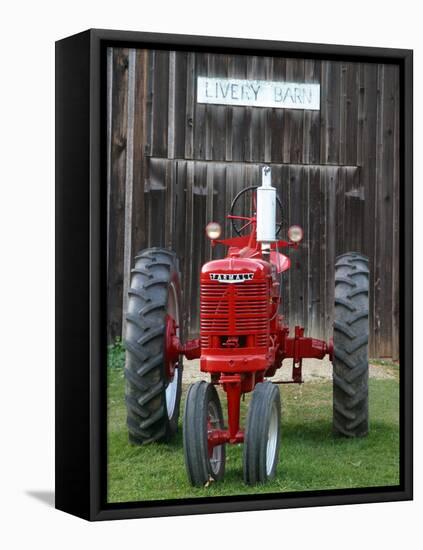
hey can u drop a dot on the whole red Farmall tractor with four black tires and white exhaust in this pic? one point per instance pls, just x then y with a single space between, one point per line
243 341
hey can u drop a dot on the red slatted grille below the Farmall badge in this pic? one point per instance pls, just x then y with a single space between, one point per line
234 310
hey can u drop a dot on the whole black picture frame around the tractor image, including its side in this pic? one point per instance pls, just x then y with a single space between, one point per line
80 280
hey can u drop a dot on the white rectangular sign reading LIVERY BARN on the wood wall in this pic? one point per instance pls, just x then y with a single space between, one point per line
258 93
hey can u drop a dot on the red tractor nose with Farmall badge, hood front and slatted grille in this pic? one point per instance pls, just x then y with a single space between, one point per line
236 305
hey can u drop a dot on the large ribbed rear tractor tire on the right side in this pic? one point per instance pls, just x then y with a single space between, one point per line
350 346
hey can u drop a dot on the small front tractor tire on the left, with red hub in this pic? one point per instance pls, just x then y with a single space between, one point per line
203 413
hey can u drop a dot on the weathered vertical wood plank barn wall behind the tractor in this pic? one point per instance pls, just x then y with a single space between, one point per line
175 164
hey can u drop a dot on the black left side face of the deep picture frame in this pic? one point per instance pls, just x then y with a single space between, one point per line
72 254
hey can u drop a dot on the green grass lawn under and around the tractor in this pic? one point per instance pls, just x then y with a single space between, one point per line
311 458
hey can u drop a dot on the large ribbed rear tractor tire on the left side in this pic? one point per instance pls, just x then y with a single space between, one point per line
153 391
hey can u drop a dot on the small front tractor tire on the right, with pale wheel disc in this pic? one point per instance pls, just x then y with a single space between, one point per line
262 434
